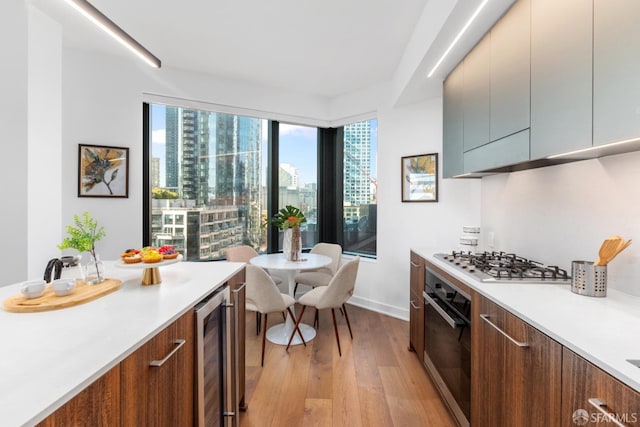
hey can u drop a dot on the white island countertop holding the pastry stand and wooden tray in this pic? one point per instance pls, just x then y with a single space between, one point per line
46 358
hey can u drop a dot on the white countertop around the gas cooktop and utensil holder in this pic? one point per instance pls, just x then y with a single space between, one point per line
605 331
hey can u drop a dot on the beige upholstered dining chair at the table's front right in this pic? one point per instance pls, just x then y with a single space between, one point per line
332 296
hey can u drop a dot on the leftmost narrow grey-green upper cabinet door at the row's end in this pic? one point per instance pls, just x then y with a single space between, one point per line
452 123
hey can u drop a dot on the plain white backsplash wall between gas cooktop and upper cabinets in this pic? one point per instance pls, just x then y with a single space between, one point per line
563 213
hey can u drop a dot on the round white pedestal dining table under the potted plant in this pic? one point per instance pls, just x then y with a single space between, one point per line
279 334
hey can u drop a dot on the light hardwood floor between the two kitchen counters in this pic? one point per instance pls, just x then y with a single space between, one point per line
376 382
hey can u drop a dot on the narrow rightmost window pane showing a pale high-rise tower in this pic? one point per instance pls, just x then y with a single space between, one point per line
360 187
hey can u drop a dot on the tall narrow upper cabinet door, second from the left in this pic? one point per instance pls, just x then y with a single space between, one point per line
477 95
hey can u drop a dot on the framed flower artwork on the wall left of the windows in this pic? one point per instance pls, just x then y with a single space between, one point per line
103 171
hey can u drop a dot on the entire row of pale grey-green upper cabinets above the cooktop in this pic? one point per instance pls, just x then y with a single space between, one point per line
551 79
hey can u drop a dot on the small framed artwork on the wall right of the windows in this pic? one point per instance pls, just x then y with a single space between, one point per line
420 178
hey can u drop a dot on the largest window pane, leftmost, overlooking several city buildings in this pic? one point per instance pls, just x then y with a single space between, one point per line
206 181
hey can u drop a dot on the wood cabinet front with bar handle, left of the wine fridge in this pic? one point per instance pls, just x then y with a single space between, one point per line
157 380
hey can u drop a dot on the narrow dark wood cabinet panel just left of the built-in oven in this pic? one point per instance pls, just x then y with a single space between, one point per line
416 308
